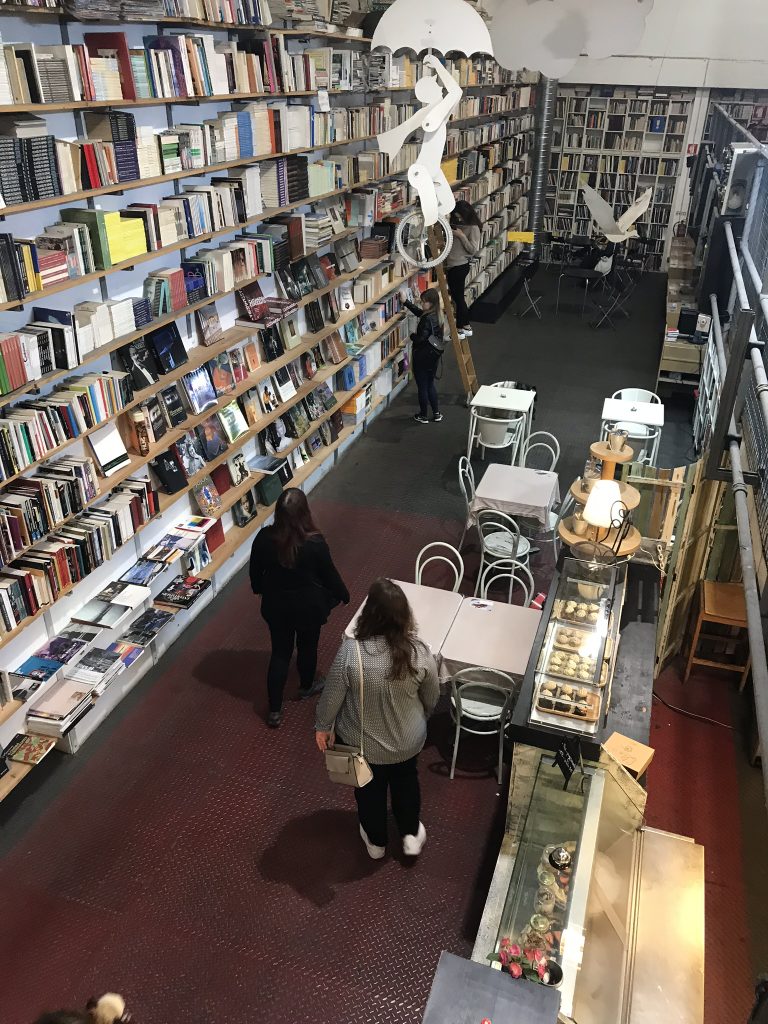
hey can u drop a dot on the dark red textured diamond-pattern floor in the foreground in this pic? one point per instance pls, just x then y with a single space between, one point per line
201 864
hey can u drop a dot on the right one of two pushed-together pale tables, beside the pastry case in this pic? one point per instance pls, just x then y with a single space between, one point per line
491 635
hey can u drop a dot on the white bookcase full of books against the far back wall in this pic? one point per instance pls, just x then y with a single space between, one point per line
622 141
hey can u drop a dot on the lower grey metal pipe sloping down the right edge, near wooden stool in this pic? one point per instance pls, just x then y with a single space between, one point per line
752 598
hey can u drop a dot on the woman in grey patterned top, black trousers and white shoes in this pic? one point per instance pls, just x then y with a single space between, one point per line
401 691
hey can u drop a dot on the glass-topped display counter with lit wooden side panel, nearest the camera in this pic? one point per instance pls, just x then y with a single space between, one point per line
623 914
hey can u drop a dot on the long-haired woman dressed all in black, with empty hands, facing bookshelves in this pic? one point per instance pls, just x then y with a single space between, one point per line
292 570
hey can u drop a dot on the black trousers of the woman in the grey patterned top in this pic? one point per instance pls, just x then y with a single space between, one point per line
403 782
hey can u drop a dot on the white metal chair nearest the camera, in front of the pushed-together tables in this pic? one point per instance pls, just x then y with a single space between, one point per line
482 702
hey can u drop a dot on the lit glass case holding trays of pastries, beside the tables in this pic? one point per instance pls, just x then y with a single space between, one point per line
575 662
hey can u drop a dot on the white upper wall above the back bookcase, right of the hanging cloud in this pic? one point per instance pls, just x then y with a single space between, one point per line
695 44
